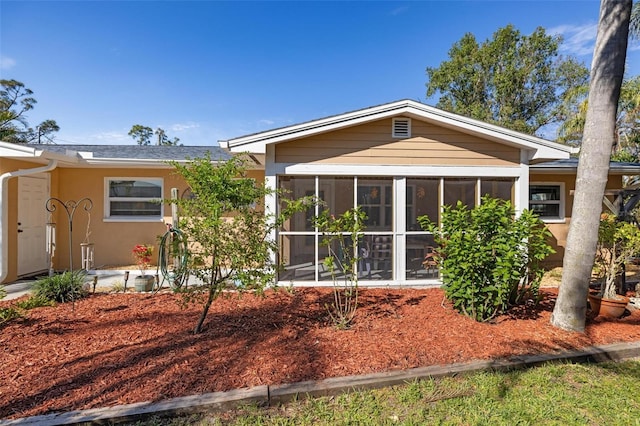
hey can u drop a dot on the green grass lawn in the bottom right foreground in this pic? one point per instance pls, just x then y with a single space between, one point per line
555 394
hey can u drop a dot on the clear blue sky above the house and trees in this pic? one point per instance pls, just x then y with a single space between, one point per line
211 70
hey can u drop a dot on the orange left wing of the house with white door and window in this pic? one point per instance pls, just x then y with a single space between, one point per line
113 187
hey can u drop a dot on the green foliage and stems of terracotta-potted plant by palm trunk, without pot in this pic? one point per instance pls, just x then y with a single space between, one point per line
618 242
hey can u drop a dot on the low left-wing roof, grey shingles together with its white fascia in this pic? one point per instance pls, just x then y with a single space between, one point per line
112 155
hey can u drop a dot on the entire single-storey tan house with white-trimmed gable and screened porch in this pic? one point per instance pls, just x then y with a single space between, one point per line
397 161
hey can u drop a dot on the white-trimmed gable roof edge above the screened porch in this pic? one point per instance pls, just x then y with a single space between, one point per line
539 149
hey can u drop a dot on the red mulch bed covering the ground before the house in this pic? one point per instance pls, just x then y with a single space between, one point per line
124 348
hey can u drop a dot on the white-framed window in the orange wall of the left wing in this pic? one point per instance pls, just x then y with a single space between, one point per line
133 199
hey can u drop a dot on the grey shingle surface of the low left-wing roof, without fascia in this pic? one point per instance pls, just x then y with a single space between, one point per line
148 152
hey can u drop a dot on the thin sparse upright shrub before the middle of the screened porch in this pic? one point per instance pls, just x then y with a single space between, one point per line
341 236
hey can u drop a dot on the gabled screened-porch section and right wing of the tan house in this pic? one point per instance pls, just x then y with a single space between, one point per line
399 161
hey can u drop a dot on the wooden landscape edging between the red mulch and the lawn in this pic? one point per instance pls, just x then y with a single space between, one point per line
277 394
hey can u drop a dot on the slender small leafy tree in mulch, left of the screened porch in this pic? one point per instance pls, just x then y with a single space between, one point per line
230 240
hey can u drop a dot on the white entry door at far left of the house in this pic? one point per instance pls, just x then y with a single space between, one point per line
33 192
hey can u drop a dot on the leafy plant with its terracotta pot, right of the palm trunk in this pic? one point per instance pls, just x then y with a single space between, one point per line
618 242
